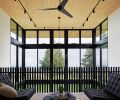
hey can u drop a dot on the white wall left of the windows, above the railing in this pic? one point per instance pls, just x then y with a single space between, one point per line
4 39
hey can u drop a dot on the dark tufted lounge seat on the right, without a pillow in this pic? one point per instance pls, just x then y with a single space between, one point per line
110 92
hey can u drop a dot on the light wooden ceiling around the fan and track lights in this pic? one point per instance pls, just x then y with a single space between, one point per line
80 10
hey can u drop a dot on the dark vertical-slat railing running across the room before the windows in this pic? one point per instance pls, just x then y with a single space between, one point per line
74 79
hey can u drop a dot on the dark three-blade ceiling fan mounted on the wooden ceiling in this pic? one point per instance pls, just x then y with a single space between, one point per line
60 8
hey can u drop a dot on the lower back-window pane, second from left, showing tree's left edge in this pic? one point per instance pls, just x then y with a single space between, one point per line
43 58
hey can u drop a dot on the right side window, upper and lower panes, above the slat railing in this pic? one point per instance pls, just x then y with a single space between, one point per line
102 44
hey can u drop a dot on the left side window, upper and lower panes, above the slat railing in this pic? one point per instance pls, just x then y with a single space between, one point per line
16 42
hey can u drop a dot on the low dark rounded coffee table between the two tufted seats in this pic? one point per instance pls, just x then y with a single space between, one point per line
55 96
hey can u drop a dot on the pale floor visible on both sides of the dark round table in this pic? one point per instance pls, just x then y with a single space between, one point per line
79 96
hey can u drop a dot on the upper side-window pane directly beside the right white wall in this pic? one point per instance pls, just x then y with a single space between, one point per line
105 29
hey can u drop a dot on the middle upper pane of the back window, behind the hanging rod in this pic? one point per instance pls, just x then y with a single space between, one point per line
59 37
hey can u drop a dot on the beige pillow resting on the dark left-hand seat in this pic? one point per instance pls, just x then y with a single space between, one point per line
7 91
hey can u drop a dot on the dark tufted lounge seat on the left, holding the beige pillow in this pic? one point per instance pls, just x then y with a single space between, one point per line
23 94
